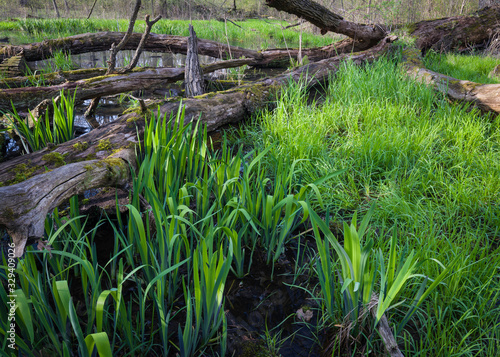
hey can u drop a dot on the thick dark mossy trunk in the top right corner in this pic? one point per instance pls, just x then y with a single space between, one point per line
459 32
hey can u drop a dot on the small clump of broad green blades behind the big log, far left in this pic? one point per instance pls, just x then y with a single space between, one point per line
42 131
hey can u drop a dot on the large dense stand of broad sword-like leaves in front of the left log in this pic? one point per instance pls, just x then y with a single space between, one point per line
193 213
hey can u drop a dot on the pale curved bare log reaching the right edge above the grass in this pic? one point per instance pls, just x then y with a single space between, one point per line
484 96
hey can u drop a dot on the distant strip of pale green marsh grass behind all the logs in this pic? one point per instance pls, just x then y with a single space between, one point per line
256 34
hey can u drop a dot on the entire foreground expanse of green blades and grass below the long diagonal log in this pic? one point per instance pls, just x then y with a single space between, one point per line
428 169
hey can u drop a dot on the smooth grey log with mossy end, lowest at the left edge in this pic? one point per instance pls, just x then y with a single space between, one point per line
31 201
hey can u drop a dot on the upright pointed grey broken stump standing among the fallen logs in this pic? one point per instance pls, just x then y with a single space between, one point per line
193 74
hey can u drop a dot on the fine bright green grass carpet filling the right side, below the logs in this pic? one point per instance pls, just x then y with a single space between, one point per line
429 167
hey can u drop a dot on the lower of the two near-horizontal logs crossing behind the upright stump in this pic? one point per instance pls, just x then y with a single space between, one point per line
141 78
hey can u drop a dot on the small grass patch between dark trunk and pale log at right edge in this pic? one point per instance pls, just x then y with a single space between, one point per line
472 68
